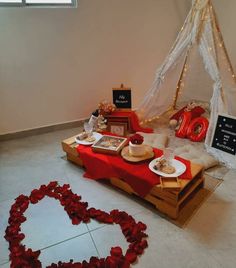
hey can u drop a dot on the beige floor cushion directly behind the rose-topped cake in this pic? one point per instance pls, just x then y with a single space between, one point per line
155 140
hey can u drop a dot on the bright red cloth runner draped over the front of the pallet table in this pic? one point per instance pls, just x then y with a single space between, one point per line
137 175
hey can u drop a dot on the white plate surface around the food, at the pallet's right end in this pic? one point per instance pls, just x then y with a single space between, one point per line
179 168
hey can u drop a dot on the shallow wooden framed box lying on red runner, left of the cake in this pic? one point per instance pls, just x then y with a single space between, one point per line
109 144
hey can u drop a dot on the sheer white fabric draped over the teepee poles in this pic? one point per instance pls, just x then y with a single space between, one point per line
199 29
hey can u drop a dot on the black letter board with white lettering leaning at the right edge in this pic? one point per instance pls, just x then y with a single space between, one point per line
225 134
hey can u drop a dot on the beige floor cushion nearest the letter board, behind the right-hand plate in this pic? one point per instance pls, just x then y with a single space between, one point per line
198 156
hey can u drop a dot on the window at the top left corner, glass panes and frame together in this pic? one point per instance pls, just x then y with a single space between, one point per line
31 3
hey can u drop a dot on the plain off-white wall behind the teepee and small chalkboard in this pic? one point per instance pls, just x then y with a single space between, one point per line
57 64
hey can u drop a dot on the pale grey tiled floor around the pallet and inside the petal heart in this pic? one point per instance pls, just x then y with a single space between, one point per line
209 240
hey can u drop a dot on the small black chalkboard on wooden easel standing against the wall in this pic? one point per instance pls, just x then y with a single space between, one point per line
122 97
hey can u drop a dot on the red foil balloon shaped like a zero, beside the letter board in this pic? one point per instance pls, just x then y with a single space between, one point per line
197 129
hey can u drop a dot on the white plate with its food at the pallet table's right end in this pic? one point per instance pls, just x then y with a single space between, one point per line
167 168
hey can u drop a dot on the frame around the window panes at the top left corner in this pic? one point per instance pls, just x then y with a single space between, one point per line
23 3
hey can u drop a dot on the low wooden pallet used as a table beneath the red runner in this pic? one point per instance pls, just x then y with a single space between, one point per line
169 202
